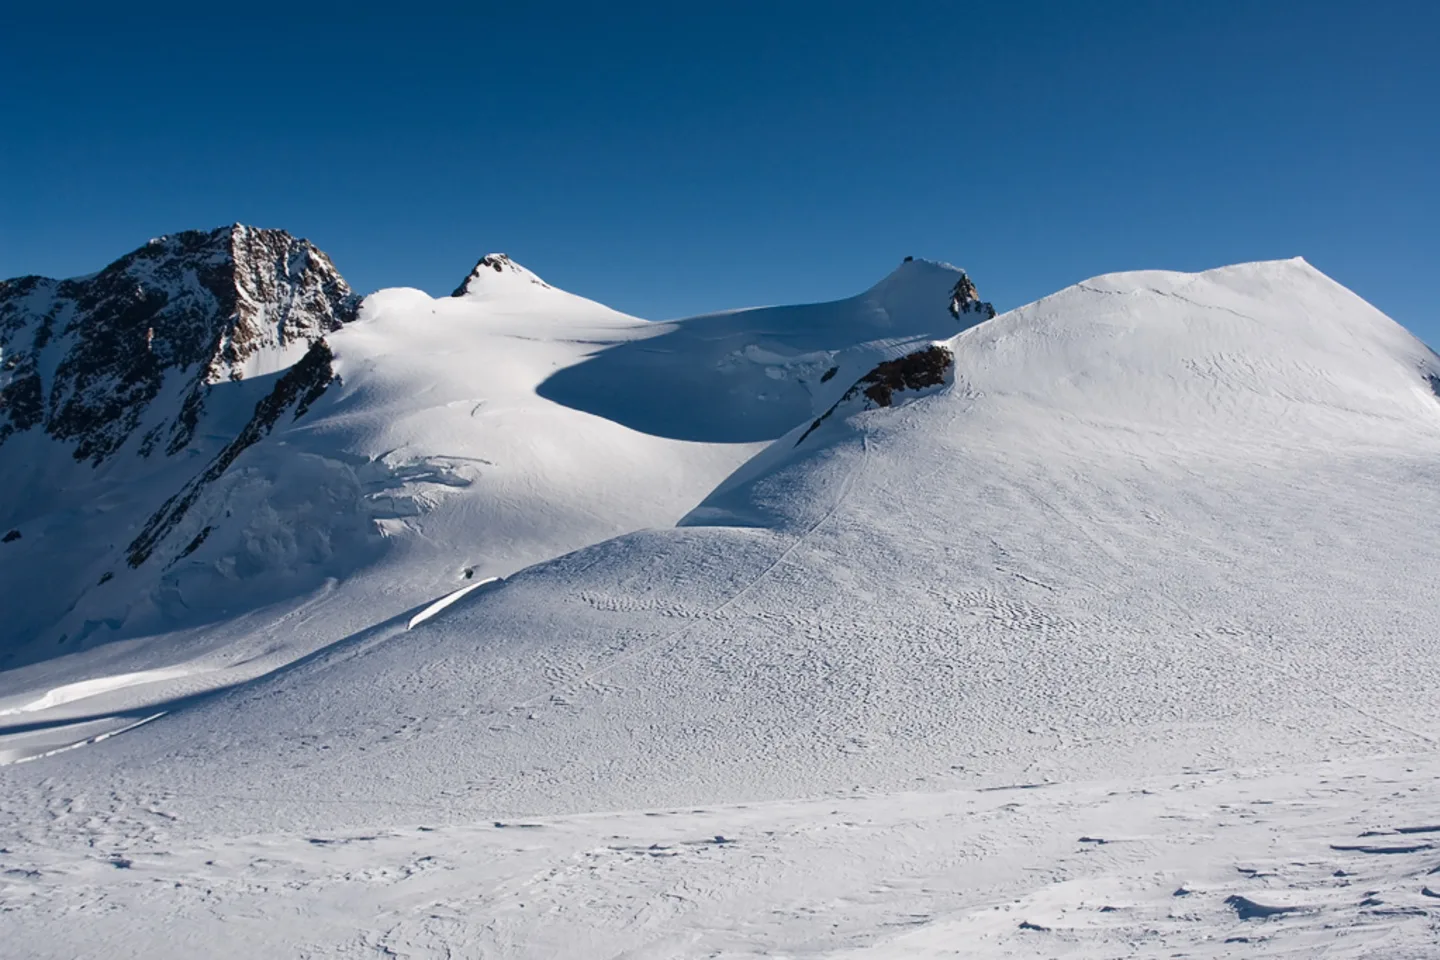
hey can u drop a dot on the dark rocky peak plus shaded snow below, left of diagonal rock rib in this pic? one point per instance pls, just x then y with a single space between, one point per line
116 389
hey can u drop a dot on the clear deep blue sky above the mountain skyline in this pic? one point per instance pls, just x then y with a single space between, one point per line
672 160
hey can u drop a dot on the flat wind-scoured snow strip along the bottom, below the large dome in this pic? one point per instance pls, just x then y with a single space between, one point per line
1331 860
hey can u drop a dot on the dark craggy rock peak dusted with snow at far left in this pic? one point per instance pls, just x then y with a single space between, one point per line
84 359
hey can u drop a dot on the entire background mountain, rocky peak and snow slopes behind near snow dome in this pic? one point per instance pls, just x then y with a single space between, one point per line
378 458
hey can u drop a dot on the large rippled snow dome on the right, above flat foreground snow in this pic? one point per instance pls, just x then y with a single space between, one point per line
1151 522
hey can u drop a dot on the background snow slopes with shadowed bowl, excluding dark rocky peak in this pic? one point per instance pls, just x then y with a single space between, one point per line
414 456
